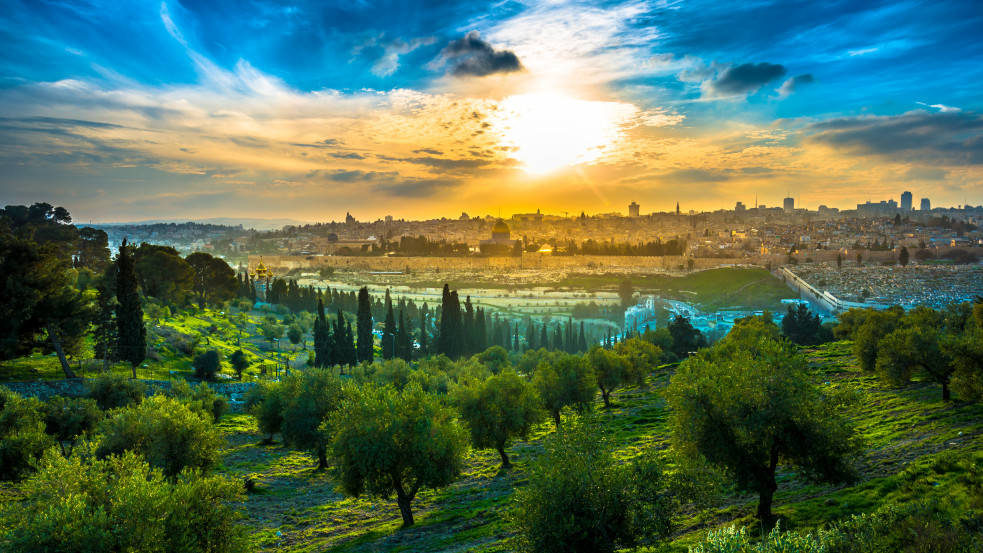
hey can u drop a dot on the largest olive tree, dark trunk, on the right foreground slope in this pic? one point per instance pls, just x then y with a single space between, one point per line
746 404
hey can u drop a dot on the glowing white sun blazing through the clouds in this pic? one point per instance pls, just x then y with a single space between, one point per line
548 131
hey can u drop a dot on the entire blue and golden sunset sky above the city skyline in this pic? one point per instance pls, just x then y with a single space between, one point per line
136 110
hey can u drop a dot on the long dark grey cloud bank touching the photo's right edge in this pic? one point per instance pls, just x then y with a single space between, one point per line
944 137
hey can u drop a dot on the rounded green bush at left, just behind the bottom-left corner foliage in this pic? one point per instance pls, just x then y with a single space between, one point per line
168 433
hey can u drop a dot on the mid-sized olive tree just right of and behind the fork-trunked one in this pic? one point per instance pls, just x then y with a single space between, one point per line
503 407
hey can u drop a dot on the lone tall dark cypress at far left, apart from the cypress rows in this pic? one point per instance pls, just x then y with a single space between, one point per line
131 343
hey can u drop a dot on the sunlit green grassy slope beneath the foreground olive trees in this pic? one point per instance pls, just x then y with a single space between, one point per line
916 448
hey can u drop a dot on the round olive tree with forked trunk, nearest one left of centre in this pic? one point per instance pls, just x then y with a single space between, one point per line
388 442
